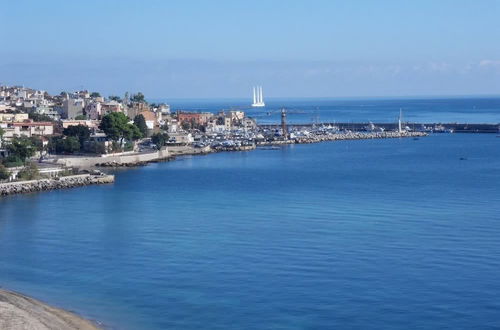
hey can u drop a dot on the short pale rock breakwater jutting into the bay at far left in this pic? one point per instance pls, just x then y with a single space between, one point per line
22 187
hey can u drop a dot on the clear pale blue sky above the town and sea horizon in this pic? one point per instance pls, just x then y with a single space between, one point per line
221 48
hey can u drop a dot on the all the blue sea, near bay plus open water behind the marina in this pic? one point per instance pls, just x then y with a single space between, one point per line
364 234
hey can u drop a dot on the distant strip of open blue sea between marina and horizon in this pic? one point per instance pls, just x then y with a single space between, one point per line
437 110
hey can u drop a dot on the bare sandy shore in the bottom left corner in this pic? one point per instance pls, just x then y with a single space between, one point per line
19 312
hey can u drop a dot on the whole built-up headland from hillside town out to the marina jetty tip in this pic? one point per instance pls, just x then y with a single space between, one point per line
43 135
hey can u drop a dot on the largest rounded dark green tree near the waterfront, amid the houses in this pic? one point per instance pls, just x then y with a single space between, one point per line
116 126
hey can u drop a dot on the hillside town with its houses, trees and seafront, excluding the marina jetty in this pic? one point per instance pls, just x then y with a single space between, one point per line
38 129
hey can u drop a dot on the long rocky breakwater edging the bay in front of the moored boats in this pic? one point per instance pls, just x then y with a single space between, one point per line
344 136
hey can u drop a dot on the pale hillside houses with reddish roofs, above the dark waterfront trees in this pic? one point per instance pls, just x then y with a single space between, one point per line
29 112
